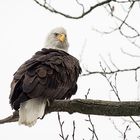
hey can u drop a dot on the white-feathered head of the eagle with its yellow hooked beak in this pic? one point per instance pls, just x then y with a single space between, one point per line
57 39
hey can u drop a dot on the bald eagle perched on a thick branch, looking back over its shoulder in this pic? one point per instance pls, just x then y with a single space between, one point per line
50 74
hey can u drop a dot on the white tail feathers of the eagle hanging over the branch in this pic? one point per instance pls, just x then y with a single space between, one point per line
31 110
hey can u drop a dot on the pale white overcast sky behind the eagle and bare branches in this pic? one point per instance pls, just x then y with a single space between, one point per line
23 29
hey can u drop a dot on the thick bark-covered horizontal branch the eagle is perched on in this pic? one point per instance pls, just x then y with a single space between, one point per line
88 106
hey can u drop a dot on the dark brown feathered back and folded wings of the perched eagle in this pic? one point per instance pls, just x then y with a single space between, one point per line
49 73
